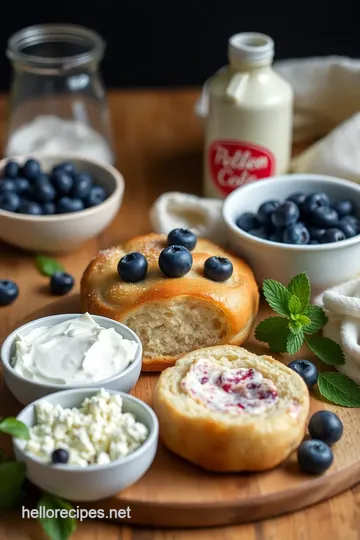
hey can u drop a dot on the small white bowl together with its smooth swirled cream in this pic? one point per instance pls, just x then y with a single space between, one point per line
67 351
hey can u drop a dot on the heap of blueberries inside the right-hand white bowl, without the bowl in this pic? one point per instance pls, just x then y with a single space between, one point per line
302 220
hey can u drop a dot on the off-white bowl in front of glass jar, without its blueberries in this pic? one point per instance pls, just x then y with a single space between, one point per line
64 232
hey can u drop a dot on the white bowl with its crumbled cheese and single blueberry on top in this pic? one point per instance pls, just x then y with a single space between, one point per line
87 444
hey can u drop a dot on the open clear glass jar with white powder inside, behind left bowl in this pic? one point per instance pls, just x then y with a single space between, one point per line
57 100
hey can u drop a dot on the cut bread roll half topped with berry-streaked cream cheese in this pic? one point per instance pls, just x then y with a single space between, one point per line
226 409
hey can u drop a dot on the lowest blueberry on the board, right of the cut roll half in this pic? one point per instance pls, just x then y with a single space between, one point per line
314 456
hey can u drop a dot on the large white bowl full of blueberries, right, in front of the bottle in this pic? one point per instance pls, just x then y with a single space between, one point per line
297 223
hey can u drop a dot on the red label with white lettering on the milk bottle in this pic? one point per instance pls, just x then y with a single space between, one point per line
233 164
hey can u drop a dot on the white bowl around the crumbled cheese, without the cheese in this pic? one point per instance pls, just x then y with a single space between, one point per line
95 481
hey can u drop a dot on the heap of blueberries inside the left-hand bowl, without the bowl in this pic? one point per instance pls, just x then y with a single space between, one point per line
29 190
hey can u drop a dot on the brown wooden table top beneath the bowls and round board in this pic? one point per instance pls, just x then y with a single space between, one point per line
159 148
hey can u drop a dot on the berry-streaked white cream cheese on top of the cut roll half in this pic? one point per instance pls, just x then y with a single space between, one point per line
229 390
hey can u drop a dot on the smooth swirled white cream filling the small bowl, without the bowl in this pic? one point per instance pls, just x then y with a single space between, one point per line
75 351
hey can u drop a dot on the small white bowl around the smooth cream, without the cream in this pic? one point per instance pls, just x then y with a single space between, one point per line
26 391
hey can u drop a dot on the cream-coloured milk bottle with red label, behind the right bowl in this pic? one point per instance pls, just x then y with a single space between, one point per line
249 122
